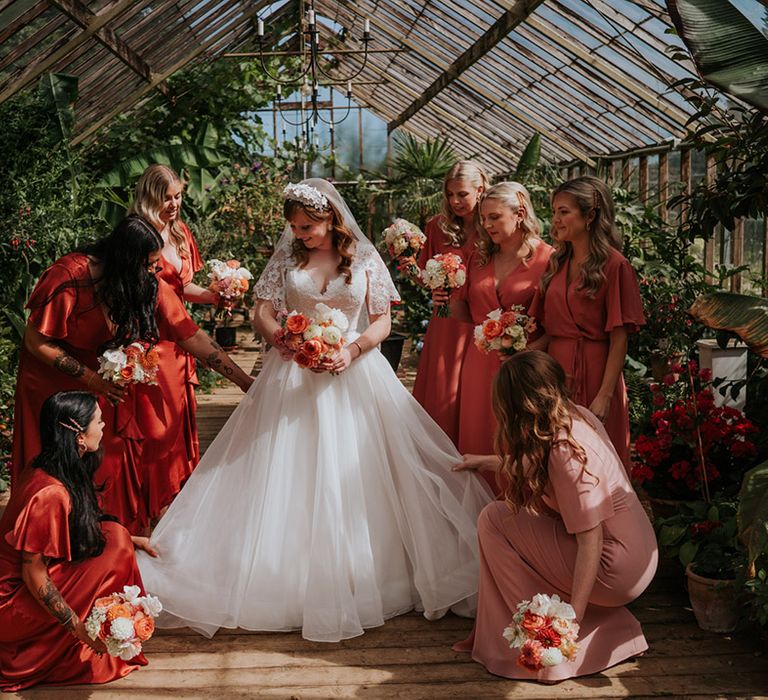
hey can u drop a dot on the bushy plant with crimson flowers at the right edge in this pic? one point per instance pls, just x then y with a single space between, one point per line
692 448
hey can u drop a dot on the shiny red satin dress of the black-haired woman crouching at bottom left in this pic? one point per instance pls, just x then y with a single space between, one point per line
34 648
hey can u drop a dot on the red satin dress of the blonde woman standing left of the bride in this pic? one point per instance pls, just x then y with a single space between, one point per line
166 413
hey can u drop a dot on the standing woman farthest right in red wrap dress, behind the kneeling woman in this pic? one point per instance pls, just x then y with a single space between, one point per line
590 302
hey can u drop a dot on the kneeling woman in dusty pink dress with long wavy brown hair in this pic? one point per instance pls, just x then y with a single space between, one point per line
571 526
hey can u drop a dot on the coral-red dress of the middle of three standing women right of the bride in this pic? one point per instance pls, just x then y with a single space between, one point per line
477 424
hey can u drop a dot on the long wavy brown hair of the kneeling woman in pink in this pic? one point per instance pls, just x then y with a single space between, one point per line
533 411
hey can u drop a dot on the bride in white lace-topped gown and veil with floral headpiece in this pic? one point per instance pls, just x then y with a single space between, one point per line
327 502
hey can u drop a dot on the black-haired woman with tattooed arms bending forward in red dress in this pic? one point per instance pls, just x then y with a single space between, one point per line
105 296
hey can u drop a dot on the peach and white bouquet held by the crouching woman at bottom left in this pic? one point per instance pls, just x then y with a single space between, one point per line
123 621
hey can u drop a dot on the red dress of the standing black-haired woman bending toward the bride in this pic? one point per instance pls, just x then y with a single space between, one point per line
76 321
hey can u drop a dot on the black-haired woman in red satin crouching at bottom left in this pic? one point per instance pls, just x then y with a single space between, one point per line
57 556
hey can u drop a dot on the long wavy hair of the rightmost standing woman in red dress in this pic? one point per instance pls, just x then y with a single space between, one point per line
592 197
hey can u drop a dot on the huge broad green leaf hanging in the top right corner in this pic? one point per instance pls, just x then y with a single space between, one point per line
729 51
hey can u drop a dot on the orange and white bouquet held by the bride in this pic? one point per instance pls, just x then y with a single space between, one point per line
313 339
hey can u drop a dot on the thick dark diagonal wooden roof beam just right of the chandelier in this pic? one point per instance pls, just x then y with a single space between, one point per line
511 18
